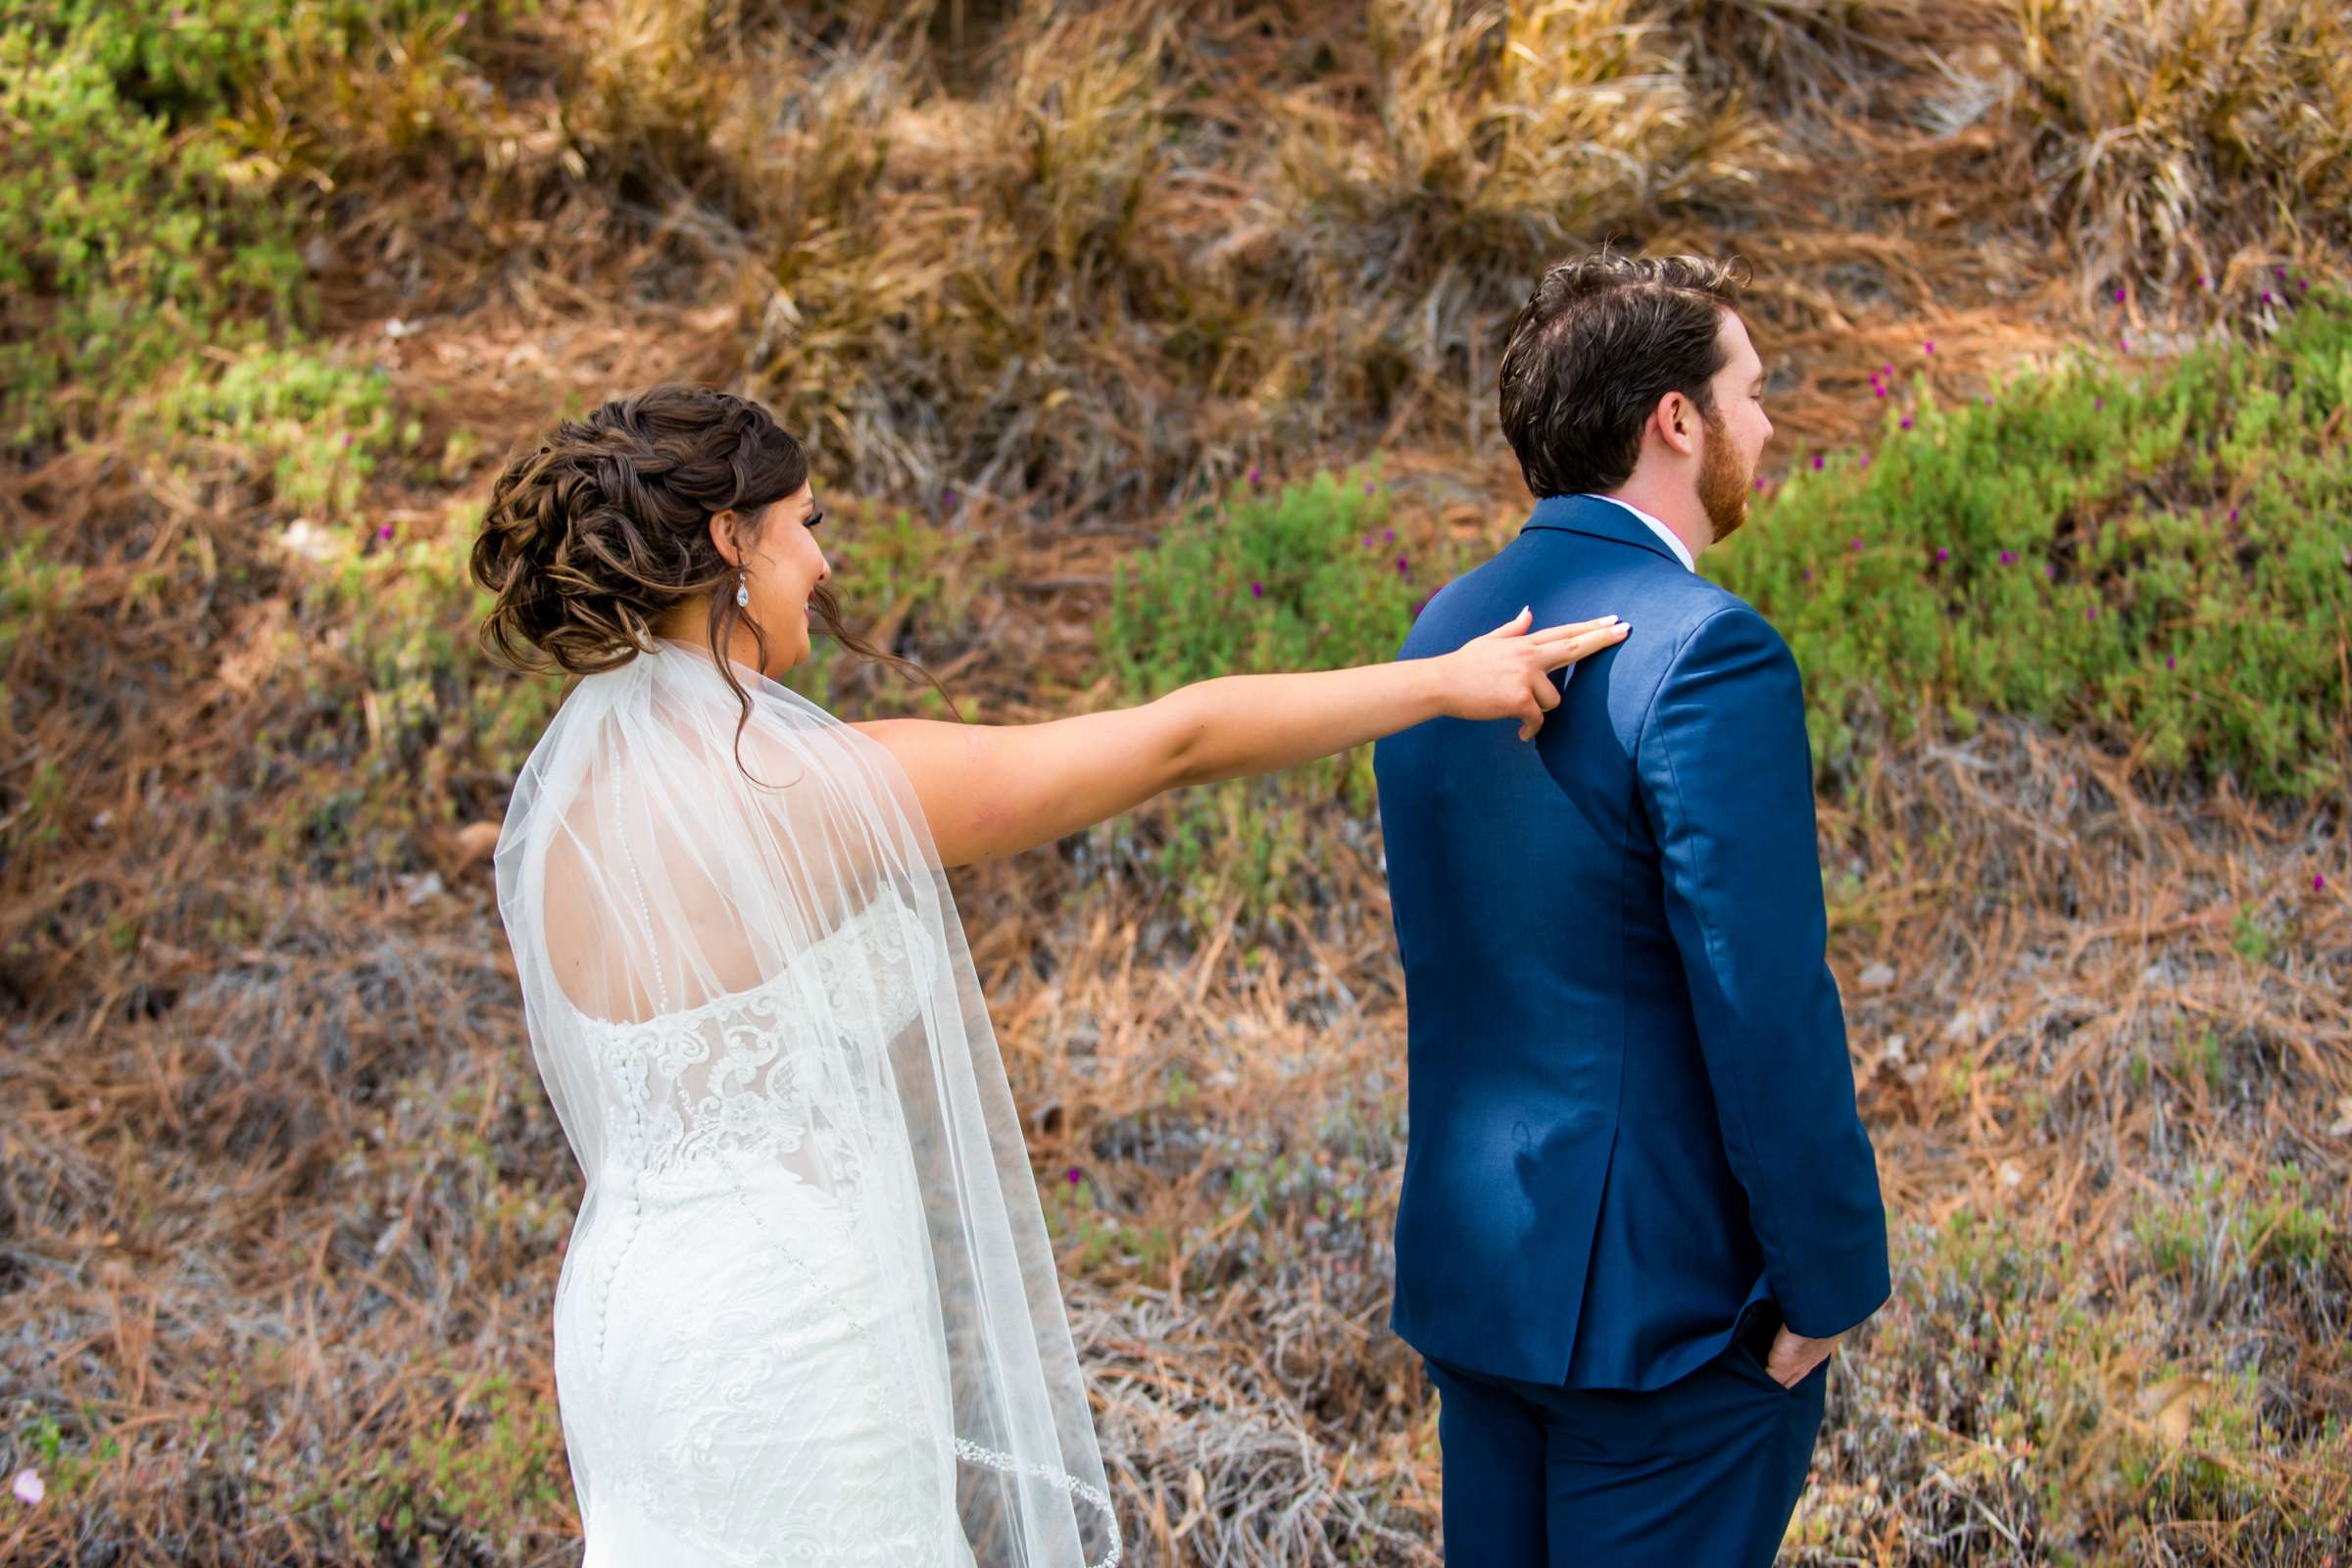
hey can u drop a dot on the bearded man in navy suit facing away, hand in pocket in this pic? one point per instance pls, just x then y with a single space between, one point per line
1638 1202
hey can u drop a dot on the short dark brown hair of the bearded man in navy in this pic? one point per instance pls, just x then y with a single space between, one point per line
1593 351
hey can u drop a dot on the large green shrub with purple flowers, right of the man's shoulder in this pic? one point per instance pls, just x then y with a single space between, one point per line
2158 556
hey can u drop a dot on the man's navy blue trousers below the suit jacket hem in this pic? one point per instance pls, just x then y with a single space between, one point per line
1697 1475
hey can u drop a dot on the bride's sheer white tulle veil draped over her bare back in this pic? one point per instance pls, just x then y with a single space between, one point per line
648 883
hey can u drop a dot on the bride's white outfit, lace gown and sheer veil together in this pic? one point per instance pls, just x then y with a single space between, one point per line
808 1313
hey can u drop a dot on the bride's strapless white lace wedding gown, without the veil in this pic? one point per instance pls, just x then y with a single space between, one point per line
733 1369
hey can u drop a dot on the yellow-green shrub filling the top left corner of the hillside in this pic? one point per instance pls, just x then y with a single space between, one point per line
138 225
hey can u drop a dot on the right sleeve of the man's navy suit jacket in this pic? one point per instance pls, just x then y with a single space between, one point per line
1728 777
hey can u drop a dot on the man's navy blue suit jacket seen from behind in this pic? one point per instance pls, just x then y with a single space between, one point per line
1629 1087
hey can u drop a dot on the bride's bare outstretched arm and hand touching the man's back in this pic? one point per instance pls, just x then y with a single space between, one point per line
1001 789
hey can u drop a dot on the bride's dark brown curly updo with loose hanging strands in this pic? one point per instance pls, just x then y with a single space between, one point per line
606 525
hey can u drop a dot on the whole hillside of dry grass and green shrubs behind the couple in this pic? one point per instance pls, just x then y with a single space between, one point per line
1137 344
